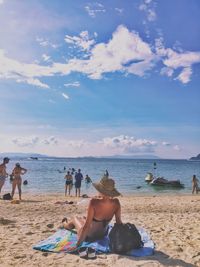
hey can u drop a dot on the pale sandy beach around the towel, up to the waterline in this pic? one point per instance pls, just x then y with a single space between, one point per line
172 221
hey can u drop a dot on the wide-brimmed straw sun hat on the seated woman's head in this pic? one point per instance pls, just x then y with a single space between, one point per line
106 186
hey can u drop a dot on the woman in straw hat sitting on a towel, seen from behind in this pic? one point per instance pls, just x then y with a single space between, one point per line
100 212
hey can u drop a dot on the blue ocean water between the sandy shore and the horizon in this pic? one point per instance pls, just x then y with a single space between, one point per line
46 175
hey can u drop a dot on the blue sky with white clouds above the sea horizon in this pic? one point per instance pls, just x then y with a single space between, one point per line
100 78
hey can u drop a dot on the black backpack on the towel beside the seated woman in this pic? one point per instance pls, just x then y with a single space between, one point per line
124 237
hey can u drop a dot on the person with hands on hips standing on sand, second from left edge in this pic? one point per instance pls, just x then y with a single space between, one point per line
17 180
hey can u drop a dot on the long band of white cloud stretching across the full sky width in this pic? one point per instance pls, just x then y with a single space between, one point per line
125 52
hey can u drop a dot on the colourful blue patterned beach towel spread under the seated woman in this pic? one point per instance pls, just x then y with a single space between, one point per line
65 241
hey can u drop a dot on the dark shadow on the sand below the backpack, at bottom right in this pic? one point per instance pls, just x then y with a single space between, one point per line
163 259
